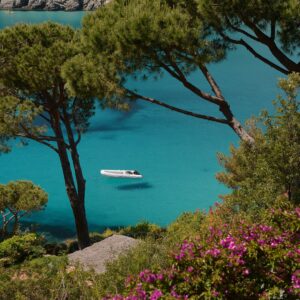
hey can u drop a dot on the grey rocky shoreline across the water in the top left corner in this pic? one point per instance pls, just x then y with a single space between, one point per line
68 5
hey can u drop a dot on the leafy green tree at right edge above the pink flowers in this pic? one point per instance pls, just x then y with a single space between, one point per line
263 174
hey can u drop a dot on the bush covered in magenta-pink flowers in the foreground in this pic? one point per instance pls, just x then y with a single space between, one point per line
230 261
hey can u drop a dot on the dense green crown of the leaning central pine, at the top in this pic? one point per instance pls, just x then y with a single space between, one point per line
137 38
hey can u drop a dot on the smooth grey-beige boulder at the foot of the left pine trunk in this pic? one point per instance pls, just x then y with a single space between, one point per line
96 256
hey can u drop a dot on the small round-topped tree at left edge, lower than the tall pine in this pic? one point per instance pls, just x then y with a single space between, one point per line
17 199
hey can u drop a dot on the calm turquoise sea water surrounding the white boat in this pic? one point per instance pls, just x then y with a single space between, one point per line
175 153
